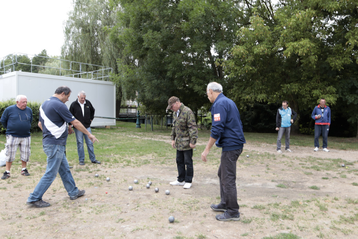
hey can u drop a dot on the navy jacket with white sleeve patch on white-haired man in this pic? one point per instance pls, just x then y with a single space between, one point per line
226 124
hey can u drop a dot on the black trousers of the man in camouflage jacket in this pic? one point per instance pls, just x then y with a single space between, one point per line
185 165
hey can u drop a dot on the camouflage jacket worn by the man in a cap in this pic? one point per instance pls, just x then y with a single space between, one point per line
184 129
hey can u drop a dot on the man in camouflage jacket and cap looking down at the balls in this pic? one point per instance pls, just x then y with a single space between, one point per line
184 135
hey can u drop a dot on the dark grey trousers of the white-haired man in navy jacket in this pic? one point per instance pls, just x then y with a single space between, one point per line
227 176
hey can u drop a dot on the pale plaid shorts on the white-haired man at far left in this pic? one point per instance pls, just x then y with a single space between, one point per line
11 147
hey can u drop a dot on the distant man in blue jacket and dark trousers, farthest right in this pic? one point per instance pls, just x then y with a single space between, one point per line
321 114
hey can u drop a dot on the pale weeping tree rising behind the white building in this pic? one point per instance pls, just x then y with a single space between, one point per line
87 38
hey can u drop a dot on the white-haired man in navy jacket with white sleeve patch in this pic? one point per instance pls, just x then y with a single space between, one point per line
226 133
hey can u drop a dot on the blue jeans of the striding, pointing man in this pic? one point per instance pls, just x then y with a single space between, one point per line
56 163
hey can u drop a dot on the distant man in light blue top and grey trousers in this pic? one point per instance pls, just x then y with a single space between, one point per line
283 125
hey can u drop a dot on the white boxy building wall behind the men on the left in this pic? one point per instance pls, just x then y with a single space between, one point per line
40 87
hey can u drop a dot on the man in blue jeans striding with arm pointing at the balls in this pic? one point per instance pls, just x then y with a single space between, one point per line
54 120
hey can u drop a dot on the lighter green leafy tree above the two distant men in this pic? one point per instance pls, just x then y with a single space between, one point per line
297 52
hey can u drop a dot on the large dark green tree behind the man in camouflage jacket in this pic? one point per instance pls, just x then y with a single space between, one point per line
173 48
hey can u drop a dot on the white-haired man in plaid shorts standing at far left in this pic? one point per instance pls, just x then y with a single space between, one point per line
17 120
